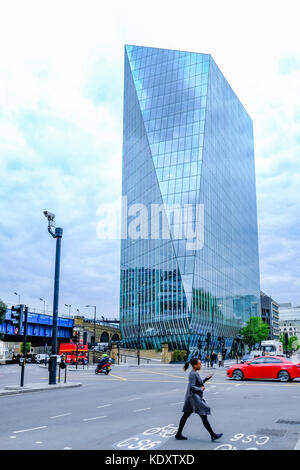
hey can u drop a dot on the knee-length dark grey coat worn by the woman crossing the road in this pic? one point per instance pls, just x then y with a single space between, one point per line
194 401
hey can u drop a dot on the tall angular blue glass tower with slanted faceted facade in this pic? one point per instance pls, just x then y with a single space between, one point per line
187 140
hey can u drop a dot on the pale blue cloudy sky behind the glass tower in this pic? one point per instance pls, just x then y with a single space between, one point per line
61 92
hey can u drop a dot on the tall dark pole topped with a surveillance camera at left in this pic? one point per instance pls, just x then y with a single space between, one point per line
57 234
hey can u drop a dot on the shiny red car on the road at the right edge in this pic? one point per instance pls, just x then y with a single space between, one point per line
265 367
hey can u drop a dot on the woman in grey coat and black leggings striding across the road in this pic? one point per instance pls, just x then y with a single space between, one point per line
194 402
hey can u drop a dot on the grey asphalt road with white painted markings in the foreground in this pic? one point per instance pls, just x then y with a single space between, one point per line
140 407
